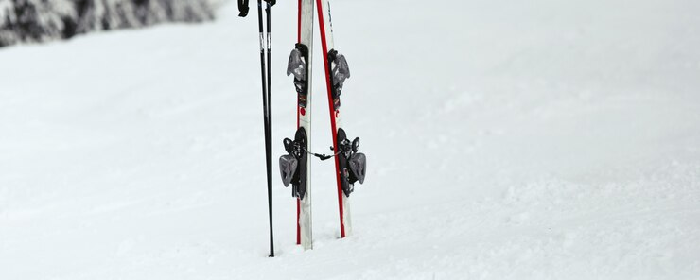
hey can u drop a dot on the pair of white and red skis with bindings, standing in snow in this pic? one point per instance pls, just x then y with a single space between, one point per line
295 166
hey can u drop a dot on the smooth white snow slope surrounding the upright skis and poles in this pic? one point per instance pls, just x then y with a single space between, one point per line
506 140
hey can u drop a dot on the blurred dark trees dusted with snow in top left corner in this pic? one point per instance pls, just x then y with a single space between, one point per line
34 21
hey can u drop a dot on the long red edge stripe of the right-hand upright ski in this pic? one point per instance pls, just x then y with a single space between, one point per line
321 15
